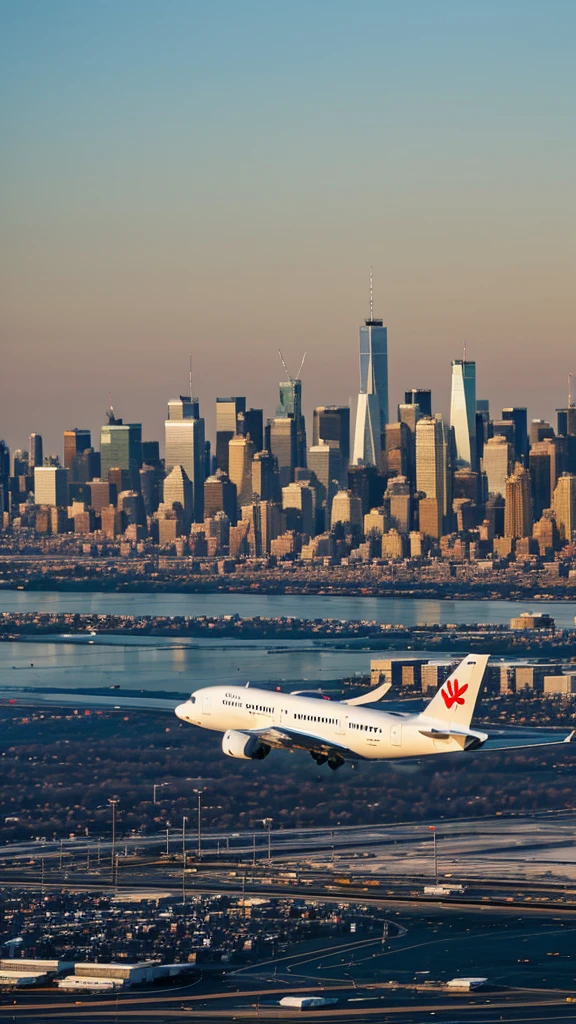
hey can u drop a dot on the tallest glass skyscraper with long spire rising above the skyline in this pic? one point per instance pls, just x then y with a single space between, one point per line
373 410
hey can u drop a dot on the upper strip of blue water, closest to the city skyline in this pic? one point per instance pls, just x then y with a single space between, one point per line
405 612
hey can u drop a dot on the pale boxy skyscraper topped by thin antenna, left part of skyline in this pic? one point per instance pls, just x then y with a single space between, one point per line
185 447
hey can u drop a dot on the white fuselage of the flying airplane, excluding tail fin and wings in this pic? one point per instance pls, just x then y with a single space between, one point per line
366 733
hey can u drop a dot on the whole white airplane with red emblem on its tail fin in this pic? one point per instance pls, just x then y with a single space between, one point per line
254 721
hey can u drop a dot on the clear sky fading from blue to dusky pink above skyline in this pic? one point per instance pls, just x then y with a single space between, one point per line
218 179
